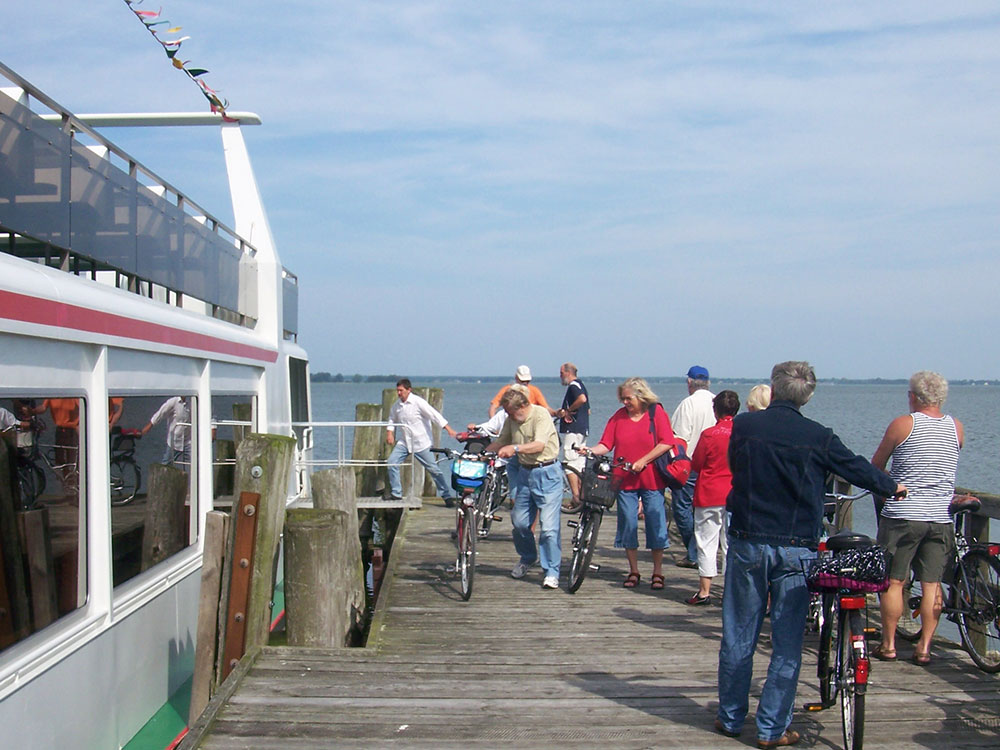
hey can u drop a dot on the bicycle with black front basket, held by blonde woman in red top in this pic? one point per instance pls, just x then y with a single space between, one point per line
598 492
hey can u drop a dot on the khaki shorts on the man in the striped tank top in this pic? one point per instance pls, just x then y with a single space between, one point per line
924 546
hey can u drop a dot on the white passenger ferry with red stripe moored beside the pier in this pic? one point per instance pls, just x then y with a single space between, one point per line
119 295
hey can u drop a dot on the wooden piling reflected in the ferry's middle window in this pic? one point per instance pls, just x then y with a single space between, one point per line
165 527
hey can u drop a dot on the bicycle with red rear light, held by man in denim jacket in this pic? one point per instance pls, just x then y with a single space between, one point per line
843 664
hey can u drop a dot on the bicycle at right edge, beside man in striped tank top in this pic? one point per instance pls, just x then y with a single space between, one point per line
972 600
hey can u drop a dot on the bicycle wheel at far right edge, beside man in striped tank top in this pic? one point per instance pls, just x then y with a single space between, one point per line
976 590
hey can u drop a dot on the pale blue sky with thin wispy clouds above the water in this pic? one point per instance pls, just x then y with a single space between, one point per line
632 186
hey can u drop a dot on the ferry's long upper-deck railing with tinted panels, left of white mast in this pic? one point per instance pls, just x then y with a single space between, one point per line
73 200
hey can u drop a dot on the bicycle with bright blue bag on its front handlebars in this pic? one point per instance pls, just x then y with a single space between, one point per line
468 476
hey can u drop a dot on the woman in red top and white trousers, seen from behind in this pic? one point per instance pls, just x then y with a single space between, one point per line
711 461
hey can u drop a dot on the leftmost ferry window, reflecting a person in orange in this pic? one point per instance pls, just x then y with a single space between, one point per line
43 530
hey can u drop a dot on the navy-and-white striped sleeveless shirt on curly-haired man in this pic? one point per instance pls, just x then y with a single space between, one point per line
925 463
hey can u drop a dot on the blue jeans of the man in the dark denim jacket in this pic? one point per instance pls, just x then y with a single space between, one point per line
753 571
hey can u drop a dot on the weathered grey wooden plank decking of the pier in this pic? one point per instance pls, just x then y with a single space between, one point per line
521 667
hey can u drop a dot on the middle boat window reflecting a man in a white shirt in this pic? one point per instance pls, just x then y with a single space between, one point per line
152 481
